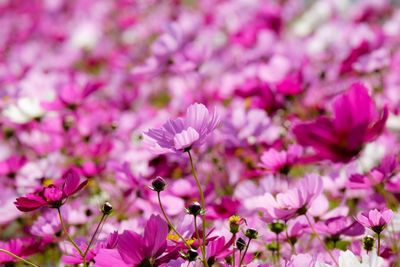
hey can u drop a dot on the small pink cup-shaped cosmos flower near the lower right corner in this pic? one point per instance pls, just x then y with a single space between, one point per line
375 219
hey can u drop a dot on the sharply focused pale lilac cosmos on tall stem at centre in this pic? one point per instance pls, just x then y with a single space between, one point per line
181 134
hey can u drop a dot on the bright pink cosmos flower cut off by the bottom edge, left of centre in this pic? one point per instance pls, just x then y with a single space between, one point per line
137 250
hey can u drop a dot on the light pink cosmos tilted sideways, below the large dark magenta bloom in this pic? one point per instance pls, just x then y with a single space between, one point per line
295 201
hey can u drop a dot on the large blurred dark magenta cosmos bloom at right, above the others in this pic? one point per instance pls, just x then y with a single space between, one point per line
355 122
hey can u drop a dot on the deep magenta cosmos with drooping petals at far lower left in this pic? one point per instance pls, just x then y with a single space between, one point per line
53 195
